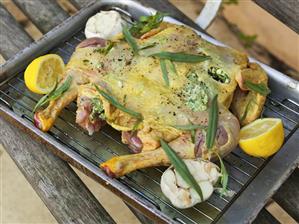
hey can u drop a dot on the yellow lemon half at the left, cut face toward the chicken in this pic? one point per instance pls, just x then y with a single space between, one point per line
43 72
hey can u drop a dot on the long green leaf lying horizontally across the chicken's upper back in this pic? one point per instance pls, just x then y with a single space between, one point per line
181 57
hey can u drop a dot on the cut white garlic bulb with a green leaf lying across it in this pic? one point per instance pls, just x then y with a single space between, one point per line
179 192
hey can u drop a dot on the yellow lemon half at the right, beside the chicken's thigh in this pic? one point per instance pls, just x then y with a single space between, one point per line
262 138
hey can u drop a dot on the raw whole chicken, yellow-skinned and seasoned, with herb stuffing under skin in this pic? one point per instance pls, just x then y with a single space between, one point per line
137 83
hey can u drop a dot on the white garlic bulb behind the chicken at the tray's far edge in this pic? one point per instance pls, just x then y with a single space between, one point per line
104 24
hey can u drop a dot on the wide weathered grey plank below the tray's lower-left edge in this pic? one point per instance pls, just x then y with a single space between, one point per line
68 199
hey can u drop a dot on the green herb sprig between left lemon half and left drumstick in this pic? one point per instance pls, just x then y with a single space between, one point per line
55 93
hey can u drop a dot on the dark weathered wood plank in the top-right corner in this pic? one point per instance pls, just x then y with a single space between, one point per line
286 11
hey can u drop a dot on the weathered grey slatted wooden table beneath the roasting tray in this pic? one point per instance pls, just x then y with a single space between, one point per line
61 190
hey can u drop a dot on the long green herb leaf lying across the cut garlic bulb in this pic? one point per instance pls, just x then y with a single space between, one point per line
181 168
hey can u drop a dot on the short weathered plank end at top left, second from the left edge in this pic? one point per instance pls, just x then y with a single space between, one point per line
45 14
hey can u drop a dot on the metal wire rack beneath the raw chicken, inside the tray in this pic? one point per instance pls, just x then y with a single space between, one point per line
105 144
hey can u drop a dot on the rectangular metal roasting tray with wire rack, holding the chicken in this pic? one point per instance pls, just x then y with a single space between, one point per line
254 180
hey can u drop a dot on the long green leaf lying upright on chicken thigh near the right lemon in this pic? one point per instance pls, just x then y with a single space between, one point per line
213 121
